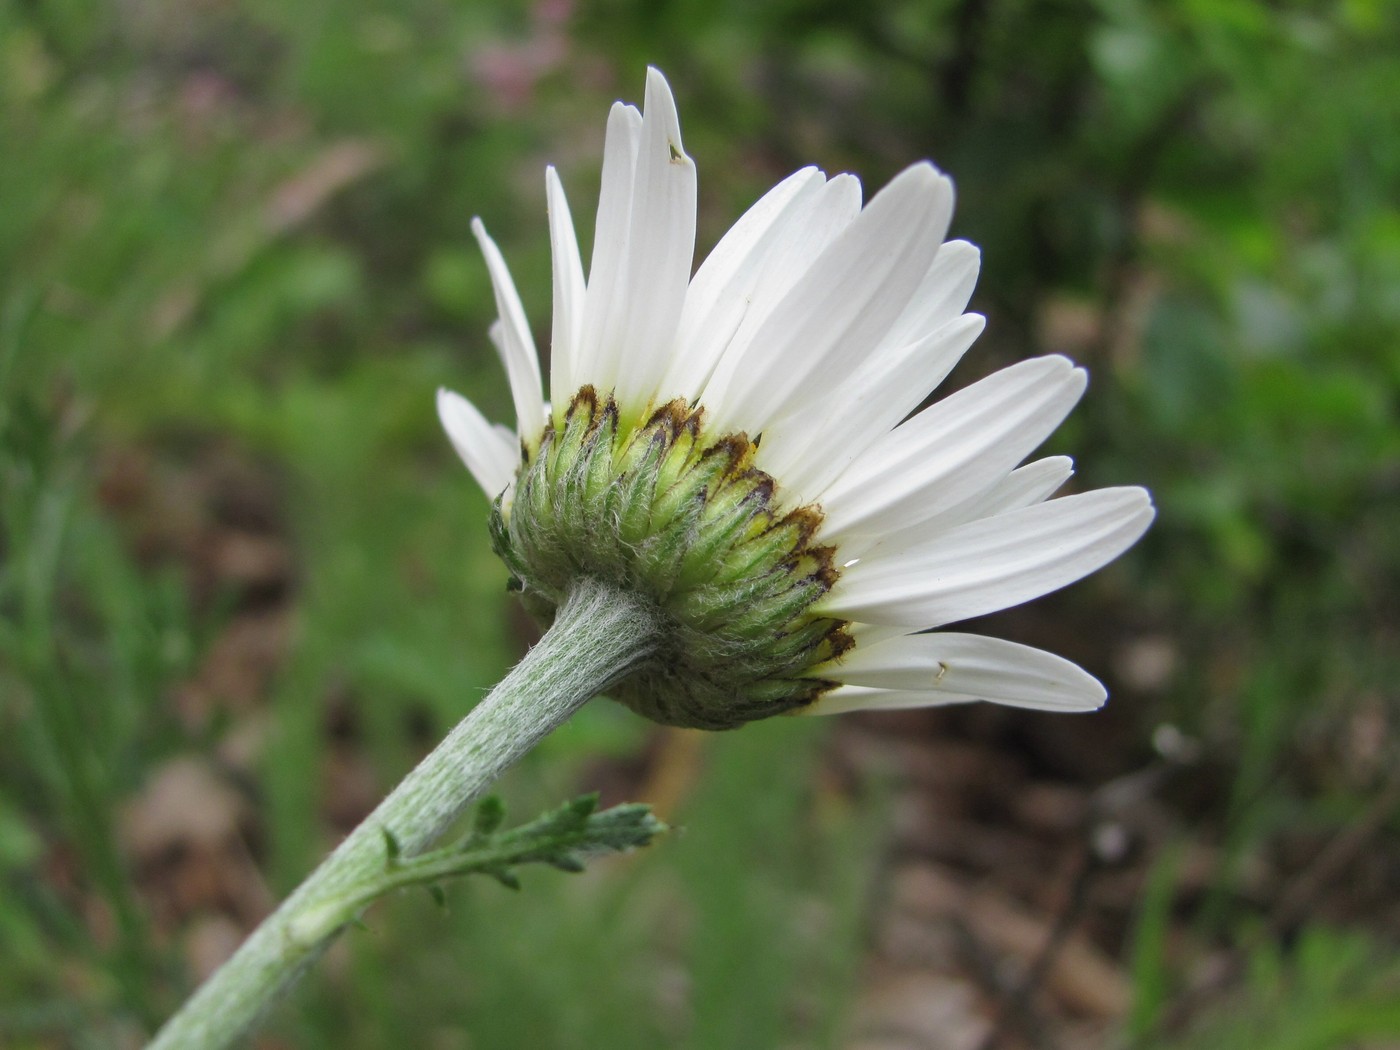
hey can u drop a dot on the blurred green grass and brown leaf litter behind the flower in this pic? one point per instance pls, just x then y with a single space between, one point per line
244 582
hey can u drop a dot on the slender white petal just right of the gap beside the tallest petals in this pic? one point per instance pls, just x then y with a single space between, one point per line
722 292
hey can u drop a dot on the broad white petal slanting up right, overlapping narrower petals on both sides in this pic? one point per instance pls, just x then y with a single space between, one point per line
843 306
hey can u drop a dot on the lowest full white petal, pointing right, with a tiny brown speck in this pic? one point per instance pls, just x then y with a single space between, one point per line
946 667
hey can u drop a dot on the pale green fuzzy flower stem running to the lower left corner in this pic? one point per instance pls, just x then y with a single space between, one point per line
598 636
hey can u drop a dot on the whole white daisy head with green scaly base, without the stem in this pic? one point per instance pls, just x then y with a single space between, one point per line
737 447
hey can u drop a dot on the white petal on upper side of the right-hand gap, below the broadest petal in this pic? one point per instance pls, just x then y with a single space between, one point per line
815 444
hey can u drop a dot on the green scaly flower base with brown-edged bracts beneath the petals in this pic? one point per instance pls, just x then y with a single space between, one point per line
694 531
